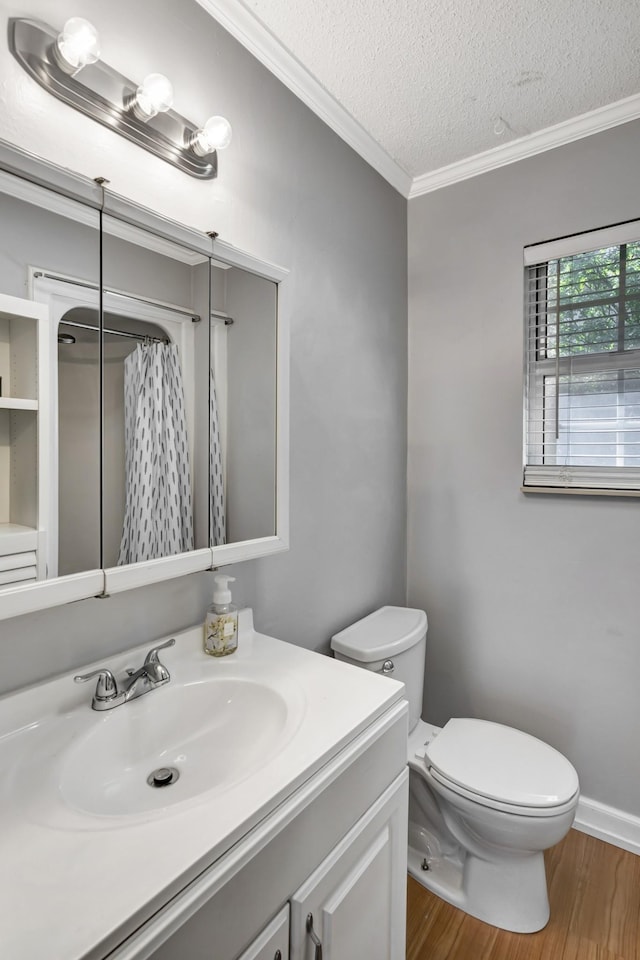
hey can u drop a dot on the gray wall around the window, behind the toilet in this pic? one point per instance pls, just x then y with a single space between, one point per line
534 613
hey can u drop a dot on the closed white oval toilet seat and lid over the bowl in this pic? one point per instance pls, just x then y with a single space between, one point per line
502 768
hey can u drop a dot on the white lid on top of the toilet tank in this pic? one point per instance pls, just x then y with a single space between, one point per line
384 633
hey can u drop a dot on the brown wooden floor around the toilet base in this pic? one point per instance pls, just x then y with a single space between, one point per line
594 892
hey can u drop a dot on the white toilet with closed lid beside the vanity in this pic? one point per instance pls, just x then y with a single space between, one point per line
485 799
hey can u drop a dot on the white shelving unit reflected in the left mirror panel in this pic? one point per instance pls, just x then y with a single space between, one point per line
22 524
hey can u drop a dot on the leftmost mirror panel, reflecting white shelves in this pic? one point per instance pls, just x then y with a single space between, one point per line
49 438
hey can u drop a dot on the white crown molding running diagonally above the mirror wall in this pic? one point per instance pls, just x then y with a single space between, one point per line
265 47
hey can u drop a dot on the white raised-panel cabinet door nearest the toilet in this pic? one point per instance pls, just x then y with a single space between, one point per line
356 899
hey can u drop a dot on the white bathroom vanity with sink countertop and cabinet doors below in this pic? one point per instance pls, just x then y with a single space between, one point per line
291 799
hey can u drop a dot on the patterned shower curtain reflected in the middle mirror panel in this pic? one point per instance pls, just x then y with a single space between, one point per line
158 516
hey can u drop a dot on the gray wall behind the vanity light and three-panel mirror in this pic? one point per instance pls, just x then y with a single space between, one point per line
292 192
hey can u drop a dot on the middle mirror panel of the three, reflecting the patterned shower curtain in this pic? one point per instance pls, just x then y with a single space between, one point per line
156 392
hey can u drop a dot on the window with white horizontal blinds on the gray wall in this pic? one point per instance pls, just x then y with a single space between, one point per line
582 398
